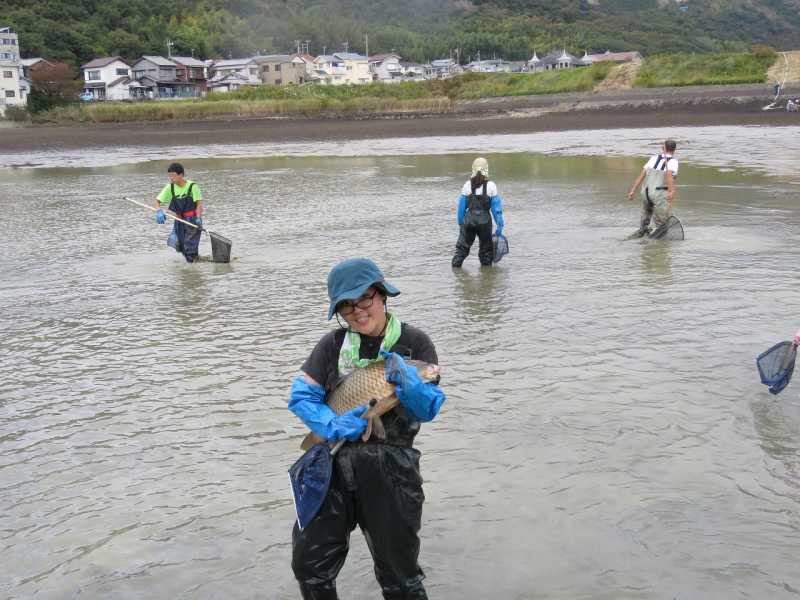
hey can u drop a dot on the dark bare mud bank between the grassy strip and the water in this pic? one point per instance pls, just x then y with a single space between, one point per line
636 108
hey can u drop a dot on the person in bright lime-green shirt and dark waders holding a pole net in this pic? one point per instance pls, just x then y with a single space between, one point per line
185 199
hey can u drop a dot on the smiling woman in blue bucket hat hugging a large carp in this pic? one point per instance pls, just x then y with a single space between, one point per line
376 482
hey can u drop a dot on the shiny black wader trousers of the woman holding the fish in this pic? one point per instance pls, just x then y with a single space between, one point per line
379 488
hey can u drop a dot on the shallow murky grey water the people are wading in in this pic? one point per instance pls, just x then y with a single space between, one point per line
605 434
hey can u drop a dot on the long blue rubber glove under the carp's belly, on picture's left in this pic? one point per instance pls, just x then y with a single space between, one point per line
307 401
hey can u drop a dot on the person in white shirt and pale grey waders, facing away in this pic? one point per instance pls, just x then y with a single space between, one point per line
658 191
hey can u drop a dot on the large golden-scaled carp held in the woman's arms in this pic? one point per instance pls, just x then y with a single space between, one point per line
368 385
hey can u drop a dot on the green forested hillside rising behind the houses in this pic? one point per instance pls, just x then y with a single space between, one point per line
78 30
